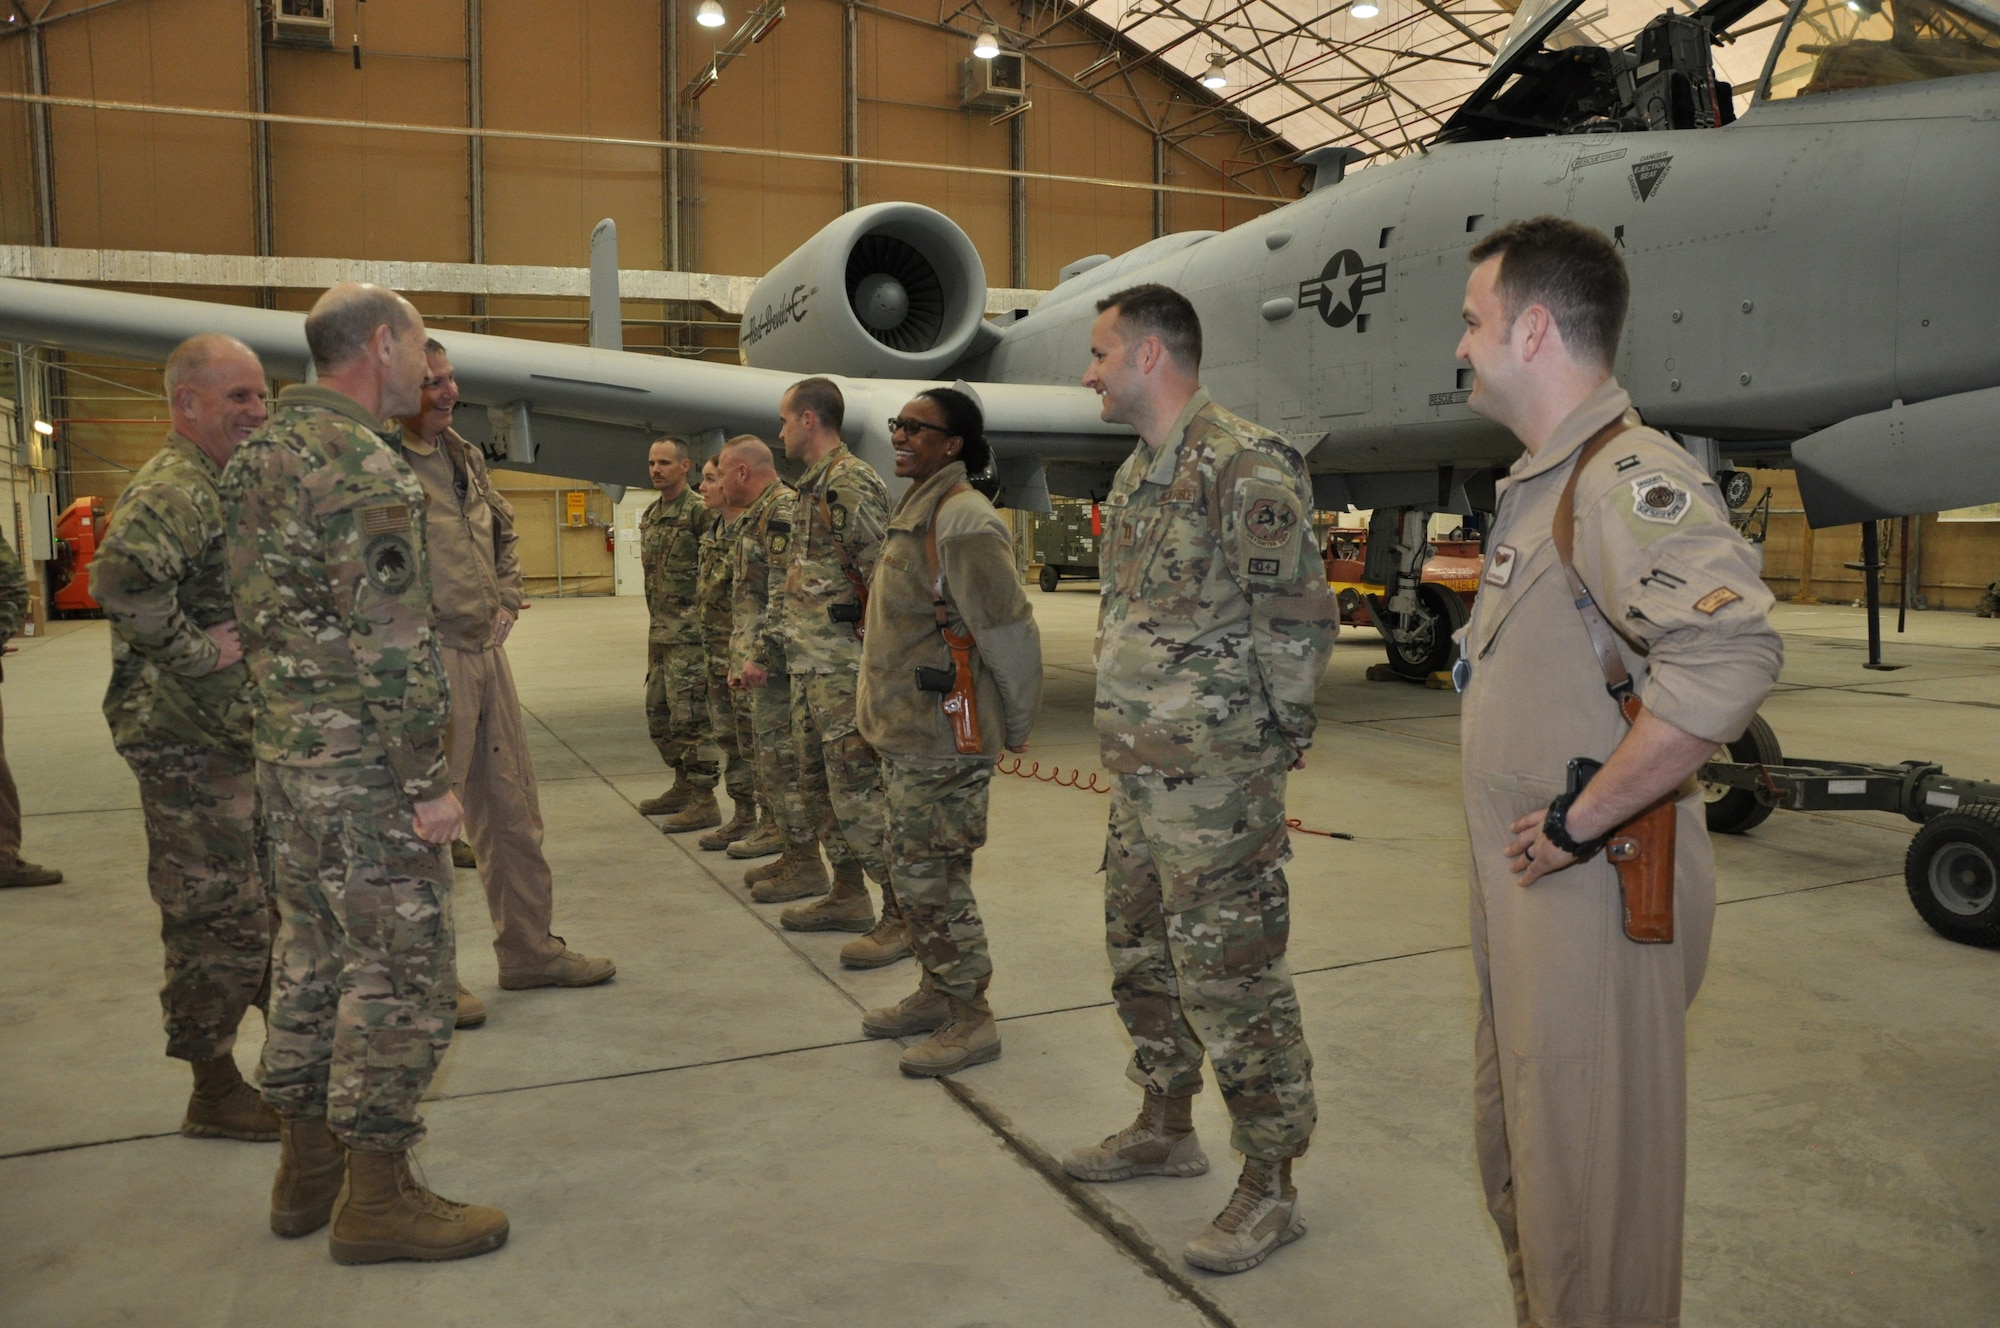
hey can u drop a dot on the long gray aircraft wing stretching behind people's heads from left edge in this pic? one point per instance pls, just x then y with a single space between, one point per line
575 411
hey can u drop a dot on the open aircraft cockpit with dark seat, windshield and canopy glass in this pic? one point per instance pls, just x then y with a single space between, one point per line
1553 79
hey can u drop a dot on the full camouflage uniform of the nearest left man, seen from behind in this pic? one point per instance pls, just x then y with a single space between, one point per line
325 537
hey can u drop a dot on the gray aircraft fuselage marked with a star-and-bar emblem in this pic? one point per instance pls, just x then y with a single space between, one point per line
1815 261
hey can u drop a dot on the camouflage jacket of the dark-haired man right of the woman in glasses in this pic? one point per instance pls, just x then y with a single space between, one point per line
1215 621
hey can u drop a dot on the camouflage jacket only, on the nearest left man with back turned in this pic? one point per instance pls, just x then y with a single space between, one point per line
325 543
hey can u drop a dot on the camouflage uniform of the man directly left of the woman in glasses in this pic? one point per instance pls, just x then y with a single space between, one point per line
841 777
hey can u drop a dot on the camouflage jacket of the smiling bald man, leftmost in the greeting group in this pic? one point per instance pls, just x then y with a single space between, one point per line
163 583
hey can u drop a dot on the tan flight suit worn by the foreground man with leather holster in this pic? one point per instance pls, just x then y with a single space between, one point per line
1581 1083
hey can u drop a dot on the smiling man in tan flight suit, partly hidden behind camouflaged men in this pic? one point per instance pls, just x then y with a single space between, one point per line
477 595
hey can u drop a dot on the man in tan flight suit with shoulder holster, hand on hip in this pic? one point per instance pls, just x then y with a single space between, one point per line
1581 1083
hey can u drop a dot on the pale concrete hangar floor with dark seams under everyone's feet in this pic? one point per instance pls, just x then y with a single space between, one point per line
711 1141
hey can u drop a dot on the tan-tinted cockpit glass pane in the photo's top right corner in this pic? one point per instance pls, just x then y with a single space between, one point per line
1847 45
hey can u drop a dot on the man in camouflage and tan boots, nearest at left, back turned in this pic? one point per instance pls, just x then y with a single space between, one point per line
325 543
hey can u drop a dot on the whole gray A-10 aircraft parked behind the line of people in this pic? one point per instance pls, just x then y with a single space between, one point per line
1813 285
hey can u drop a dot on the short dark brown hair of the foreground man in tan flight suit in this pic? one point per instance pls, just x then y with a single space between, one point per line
1567 269
